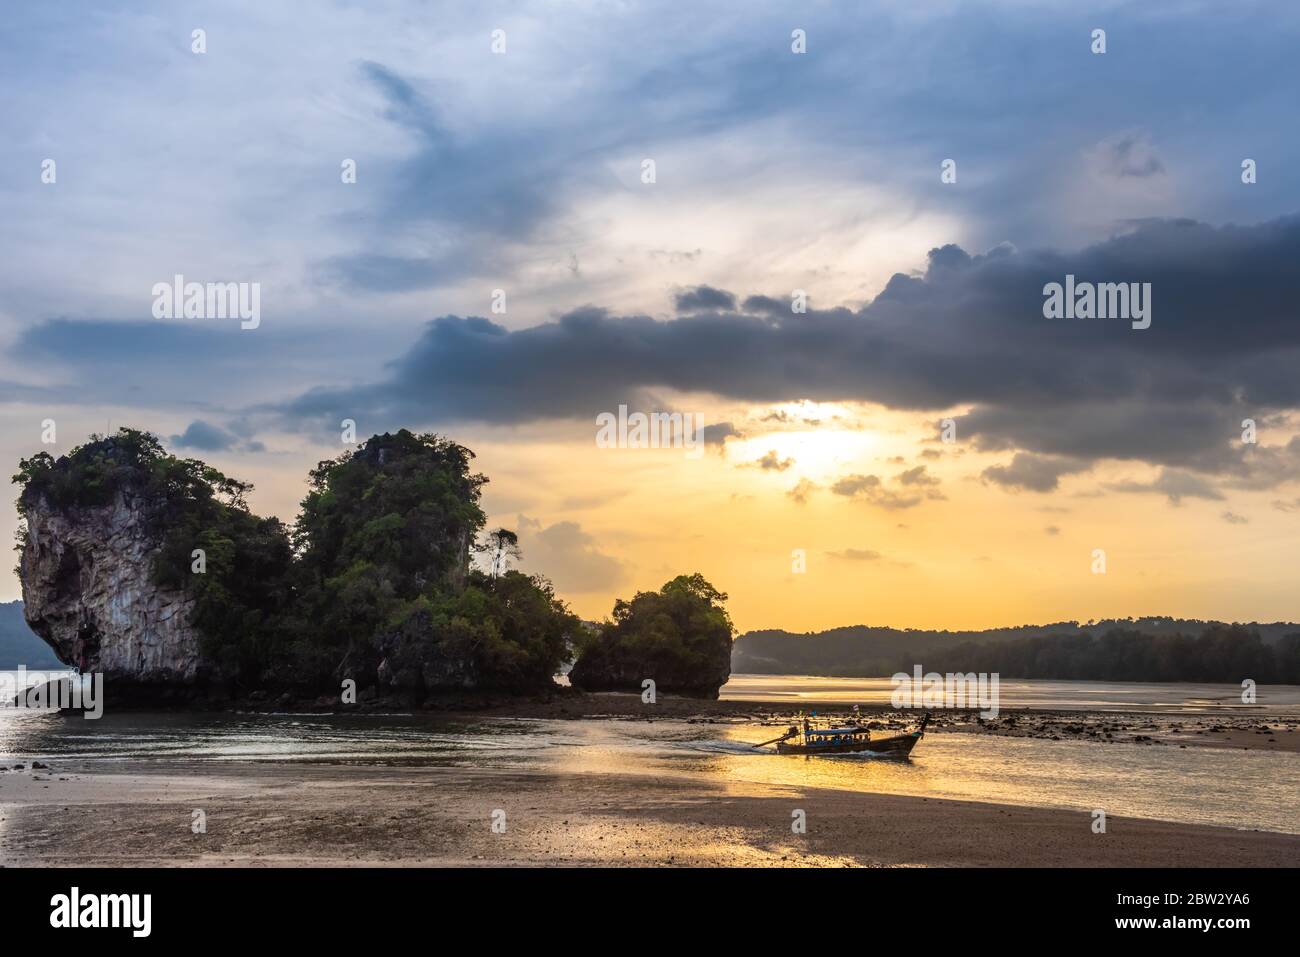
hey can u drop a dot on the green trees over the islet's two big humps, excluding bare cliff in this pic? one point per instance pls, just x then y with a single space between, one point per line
372 584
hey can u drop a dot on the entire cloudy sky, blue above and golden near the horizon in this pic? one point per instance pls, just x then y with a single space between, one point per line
921 447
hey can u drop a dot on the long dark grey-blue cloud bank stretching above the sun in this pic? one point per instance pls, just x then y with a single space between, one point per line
1224 345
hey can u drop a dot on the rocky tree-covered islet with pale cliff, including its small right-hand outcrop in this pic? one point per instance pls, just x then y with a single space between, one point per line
151 570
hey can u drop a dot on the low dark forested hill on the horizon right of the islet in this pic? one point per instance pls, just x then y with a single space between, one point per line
1147 649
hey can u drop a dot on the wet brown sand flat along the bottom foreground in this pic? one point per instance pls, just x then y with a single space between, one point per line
267 815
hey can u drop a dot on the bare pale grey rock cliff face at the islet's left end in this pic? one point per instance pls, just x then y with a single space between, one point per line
88 591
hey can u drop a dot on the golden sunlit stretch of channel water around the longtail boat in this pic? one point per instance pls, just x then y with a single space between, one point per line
1198 785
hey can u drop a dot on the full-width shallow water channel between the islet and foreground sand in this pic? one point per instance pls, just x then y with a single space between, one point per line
1210 786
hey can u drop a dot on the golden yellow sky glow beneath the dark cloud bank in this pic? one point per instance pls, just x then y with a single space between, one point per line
604 523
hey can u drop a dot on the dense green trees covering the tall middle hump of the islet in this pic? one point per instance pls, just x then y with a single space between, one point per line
384 543
